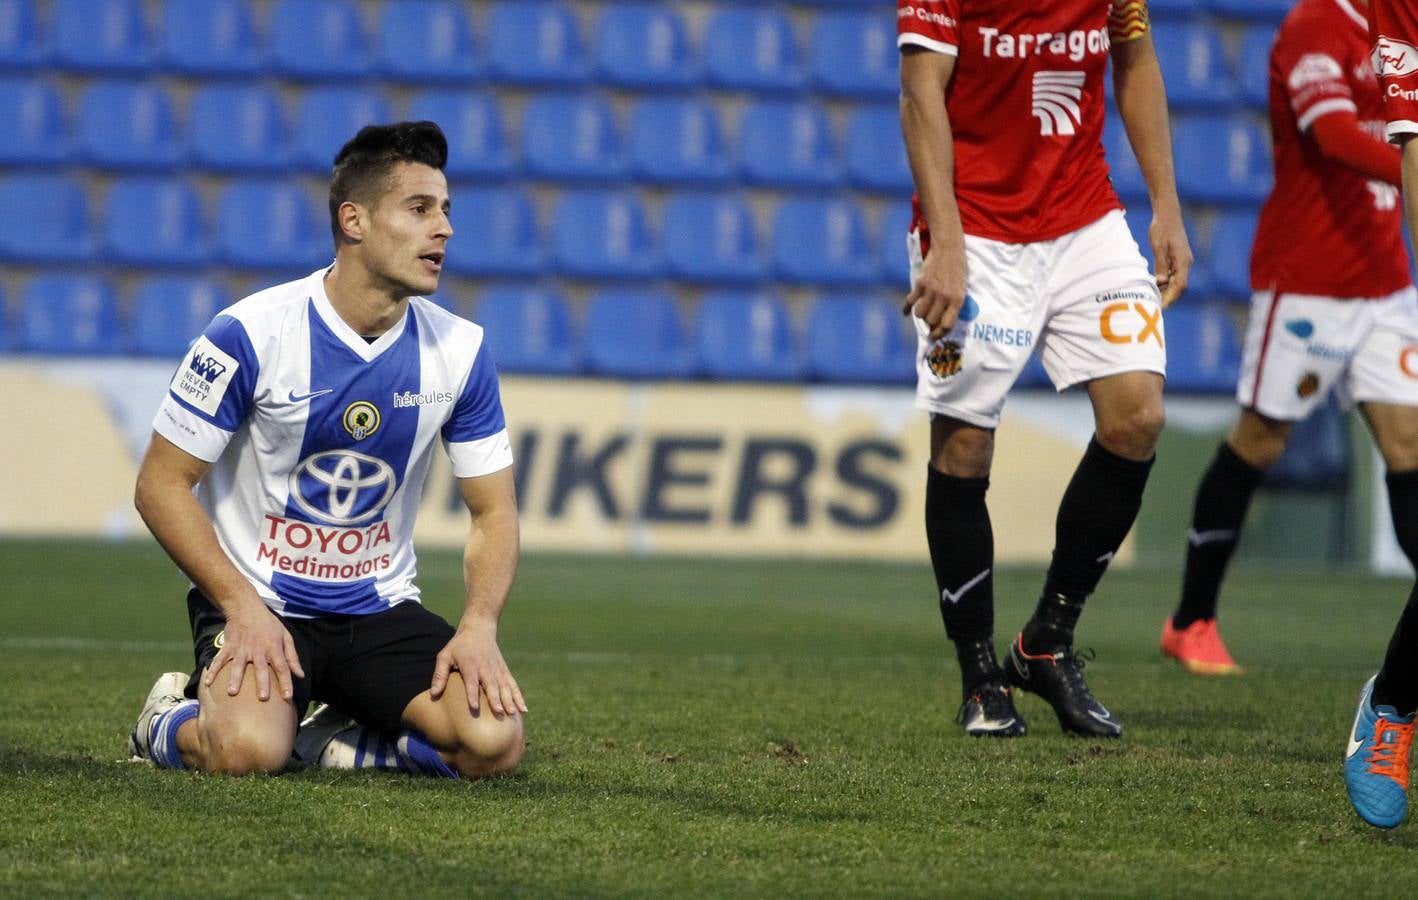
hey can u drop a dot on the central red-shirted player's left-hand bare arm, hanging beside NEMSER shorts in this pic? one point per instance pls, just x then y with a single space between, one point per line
941 288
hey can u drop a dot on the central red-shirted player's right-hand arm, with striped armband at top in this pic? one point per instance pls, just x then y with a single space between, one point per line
1142 103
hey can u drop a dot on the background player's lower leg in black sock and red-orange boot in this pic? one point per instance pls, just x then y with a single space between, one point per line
1192 636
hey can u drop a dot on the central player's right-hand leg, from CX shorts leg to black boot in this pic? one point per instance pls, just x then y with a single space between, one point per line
1105 332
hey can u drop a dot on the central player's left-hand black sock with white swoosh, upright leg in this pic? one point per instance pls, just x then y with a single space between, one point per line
962 552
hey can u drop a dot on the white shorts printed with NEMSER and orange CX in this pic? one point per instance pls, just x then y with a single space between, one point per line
1085 303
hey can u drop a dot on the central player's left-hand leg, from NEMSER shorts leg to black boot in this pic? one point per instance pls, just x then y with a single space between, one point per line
962 381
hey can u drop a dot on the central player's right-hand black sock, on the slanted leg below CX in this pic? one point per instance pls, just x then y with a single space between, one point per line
1098 510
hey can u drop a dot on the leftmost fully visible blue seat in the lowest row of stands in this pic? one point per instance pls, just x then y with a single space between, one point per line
69 315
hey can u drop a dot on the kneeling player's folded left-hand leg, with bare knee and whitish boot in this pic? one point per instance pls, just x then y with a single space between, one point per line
186 725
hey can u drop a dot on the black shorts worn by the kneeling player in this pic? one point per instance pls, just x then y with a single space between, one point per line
368 667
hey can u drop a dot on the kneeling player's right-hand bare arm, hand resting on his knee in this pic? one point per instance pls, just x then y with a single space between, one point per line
490 563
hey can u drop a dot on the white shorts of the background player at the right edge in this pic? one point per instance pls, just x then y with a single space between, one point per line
1300 348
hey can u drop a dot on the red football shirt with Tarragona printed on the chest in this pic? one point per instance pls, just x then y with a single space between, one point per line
1026 107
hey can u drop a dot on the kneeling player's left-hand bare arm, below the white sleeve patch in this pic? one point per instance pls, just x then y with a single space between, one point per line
253 633
